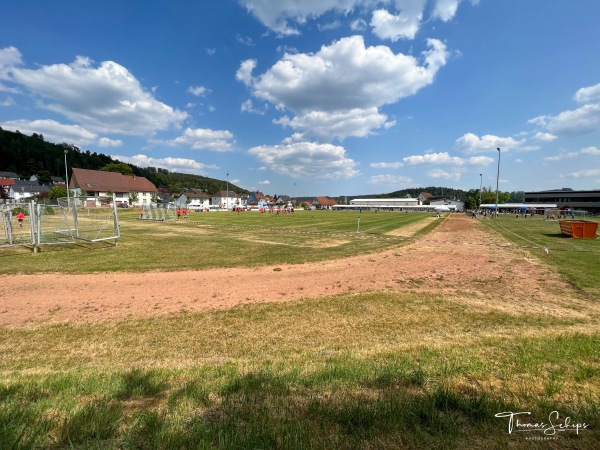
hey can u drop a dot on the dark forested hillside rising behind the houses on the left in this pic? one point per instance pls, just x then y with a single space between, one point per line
31 155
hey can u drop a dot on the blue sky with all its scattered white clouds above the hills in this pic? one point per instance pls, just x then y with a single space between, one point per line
315 97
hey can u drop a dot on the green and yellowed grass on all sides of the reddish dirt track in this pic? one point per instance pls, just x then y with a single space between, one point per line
371 370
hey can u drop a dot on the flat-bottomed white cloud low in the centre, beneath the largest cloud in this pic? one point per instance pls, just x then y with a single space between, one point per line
308 160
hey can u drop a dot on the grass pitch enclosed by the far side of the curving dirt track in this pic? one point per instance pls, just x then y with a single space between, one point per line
224 239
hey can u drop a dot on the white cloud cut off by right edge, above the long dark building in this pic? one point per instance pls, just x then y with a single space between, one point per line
582 120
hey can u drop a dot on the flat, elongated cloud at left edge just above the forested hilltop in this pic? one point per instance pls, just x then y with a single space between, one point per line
57 132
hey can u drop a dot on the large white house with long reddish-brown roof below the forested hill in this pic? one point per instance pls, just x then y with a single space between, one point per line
101 185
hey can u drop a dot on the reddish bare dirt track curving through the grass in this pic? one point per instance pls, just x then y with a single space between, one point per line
459 260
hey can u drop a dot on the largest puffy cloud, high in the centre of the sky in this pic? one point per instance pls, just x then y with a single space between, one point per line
343 85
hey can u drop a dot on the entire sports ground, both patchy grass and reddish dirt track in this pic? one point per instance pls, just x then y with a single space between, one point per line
311 330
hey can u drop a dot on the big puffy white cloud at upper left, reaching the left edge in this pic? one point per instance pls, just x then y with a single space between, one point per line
102 99
